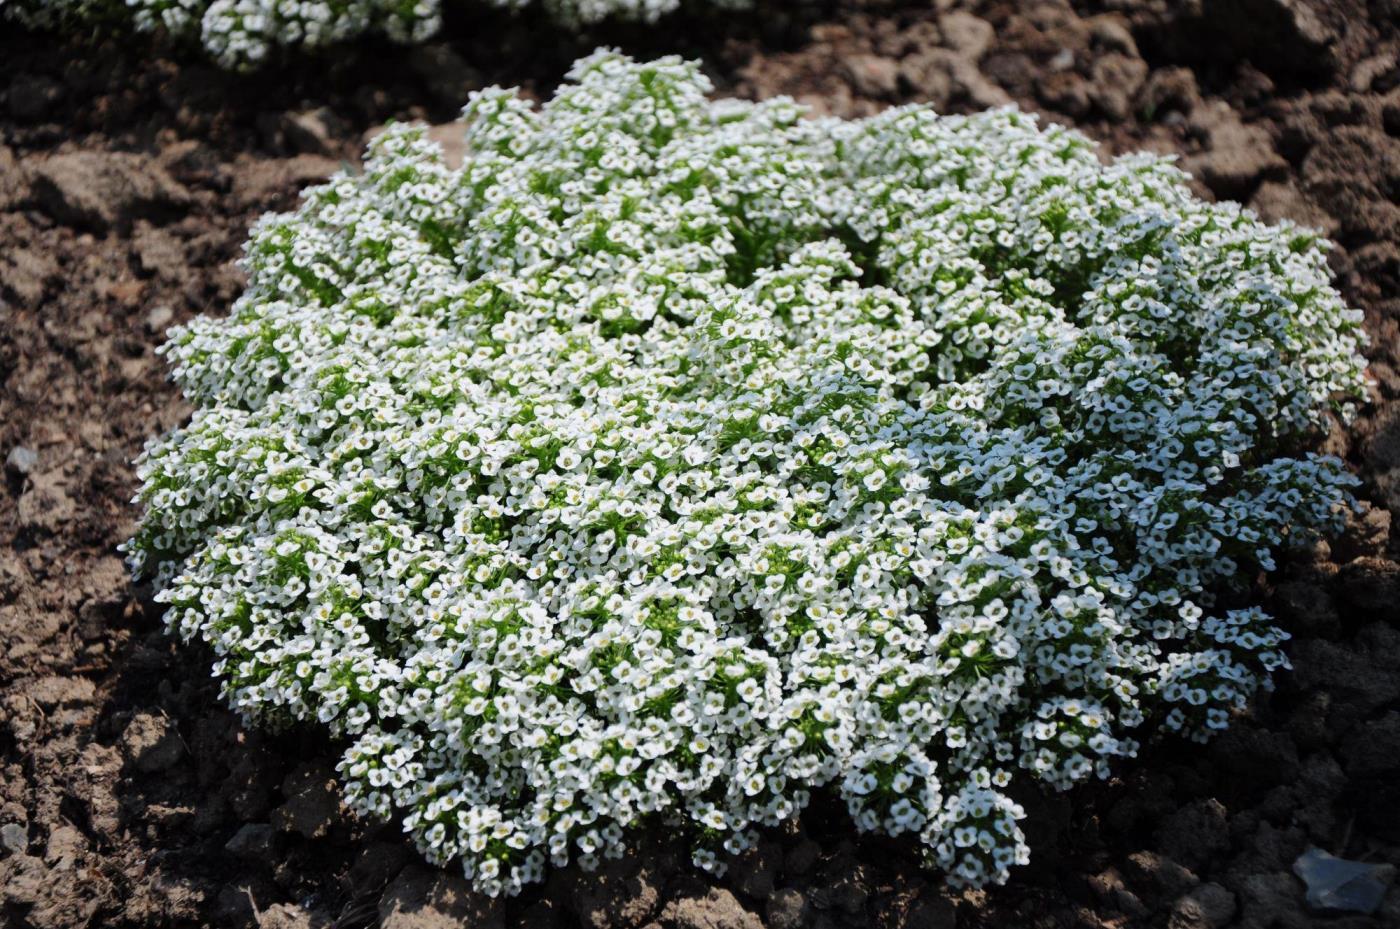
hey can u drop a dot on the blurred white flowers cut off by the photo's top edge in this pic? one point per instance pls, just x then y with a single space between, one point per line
241 34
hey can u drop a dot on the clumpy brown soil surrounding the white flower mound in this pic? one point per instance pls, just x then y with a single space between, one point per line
129 176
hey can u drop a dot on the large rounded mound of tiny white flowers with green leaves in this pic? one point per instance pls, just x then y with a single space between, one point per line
674 460
